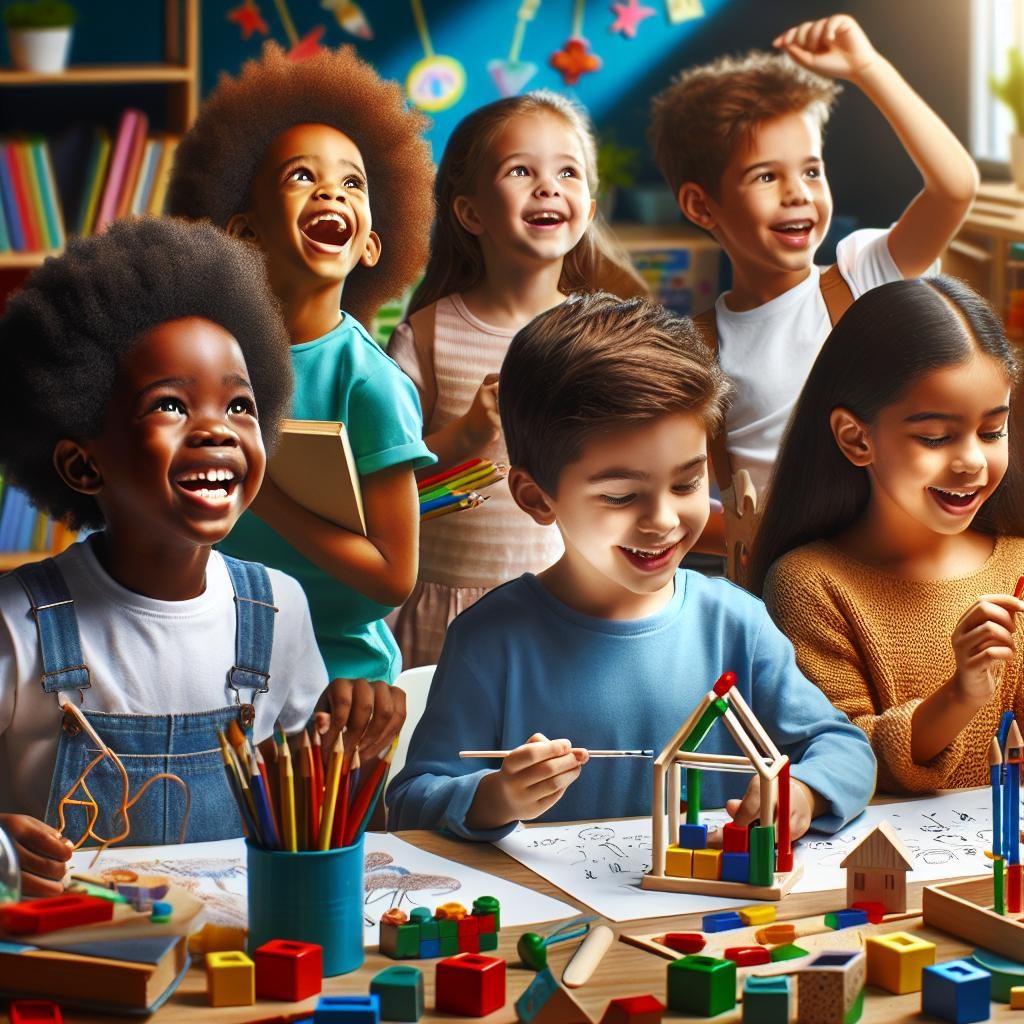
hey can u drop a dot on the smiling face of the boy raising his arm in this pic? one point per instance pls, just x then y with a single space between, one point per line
775 206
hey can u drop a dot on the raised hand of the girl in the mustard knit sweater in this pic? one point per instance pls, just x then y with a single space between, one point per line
984 638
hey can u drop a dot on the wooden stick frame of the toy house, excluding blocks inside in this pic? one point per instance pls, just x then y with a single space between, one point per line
760 756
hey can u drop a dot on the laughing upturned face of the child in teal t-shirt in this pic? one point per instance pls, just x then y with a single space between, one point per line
311 208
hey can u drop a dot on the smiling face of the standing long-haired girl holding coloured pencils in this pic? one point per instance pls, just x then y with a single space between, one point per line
532 201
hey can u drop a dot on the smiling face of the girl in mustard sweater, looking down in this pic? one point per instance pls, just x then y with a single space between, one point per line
937 455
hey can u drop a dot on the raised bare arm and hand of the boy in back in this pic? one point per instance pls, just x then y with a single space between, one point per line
838 48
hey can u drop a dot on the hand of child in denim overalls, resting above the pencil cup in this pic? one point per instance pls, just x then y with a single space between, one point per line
372 713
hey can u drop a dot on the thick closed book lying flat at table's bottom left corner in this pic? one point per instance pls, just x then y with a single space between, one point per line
112 976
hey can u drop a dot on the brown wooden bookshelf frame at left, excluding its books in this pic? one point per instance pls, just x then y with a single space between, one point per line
178 79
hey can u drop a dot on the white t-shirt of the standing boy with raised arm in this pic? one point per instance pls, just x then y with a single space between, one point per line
769 352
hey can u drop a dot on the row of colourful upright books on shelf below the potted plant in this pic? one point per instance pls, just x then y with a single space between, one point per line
78 181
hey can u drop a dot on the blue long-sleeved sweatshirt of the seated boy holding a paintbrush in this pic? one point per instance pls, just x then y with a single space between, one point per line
522 662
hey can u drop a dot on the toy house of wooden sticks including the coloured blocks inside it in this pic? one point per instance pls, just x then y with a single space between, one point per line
755 864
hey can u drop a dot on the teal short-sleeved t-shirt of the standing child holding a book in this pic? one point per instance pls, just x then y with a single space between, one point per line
346 376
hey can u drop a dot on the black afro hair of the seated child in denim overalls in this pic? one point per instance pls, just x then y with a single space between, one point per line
64 334
